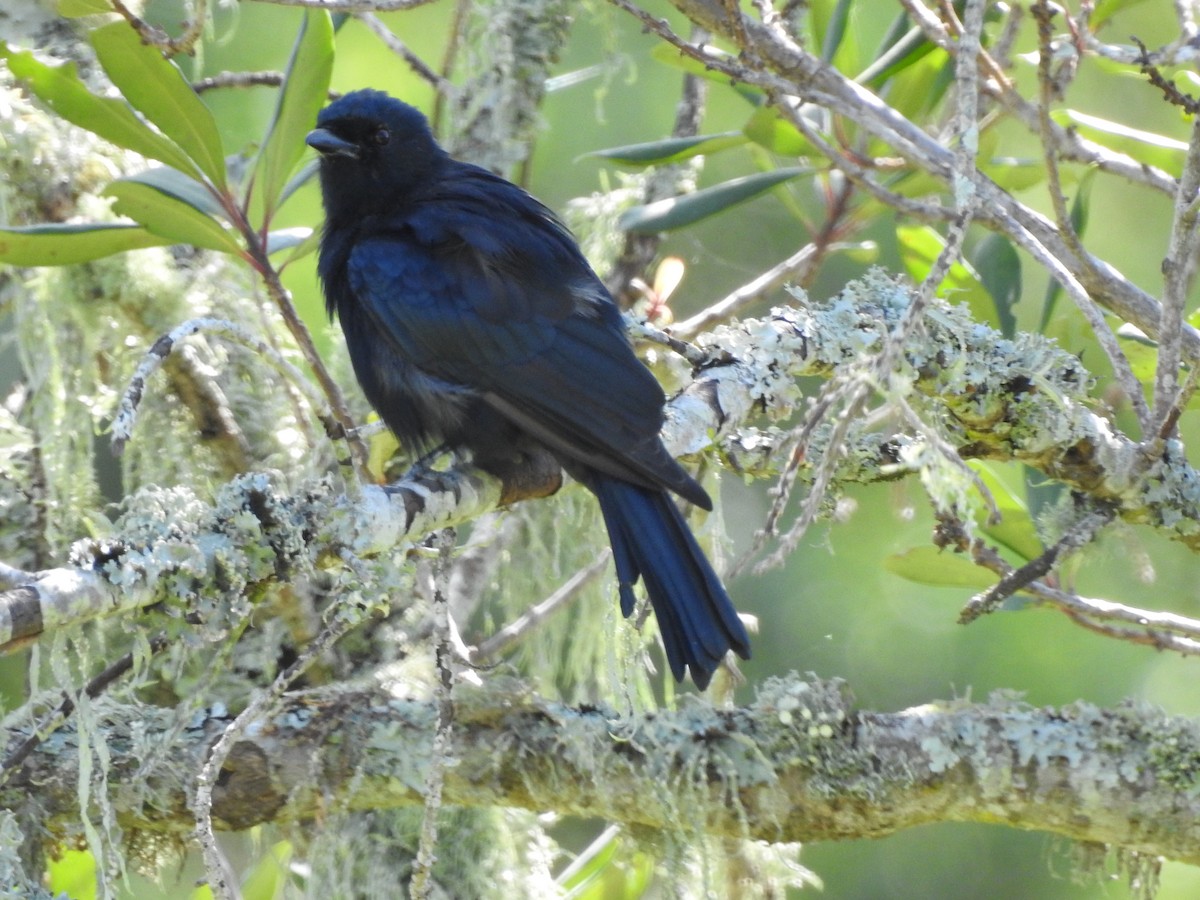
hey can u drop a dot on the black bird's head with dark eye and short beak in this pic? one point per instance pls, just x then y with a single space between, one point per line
375 152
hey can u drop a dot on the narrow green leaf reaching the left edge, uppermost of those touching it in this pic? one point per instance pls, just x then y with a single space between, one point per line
109 118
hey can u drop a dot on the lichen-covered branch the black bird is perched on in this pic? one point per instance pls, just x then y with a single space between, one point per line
995 399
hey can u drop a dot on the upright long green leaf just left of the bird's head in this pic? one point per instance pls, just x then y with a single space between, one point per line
302 98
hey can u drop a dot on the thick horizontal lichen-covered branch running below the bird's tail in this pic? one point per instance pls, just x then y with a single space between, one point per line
799 764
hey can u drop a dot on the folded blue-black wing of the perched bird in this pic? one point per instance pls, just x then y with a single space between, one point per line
506 307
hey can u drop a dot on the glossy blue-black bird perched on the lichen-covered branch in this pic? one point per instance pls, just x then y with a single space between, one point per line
473 321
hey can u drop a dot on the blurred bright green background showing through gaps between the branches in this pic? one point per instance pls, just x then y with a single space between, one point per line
833 609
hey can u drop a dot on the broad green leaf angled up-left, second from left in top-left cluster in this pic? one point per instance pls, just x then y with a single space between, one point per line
158 89
